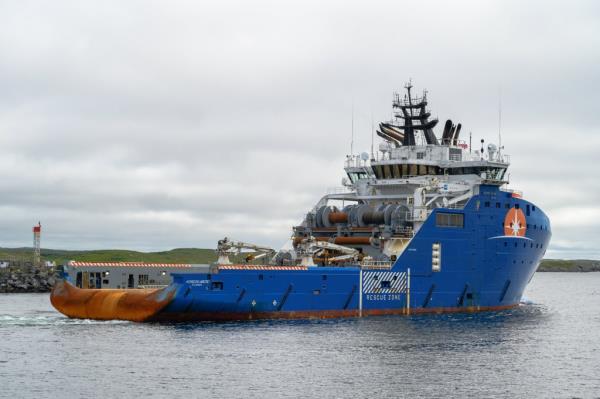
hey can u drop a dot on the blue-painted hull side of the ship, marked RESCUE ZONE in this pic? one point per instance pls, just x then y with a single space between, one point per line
481 269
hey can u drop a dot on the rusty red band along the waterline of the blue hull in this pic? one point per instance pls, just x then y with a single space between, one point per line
325 314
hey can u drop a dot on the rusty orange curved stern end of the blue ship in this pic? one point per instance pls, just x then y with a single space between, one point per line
109 304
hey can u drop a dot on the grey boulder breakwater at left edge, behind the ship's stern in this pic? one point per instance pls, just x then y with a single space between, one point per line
26 280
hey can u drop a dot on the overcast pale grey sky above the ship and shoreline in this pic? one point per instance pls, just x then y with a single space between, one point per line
153 125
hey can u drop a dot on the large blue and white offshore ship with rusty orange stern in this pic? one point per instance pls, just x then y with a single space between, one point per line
425 224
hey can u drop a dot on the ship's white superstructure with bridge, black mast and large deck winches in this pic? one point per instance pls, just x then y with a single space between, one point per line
389 195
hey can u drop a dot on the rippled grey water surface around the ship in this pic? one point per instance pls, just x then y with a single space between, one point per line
549 347
